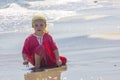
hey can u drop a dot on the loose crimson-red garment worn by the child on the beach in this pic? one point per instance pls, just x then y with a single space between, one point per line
32 46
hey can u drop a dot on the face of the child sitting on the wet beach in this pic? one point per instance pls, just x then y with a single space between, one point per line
39 26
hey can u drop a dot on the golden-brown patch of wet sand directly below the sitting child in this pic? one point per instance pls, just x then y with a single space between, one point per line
47 74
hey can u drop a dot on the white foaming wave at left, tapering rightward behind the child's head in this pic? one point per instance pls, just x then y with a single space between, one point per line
14 17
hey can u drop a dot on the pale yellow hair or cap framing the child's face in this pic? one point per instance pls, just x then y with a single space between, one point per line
38 16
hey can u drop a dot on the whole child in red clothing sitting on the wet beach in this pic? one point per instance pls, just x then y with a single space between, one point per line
39 48
